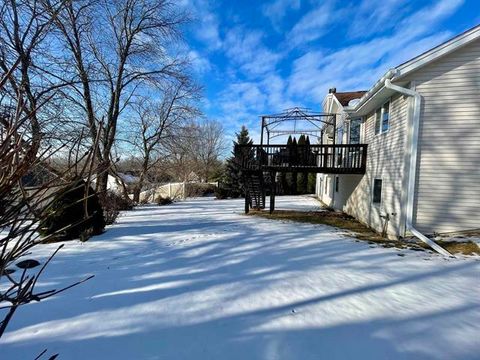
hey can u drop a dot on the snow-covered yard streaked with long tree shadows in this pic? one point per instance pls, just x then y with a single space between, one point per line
199 280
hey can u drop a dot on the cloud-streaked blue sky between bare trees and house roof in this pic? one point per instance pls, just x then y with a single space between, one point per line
258 57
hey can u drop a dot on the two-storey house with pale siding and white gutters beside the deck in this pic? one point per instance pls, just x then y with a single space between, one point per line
421 122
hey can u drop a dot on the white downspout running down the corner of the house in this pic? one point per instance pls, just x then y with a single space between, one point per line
413 165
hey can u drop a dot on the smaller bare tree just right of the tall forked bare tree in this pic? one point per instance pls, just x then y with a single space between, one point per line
154 121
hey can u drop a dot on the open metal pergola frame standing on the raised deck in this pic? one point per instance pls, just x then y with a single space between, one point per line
301 121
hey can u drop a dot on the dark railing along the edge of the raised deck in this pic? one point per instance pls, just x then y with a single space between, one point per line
338 159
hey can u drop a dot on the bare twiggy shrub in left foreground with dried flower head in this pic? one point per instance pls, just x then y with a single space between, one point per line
21 213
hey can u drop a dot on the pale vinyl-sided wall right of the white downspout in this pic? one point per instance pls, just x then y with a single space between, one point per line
448 169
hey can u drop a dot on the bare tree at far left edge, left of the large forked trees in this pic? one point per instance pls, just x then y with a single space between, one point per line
26 87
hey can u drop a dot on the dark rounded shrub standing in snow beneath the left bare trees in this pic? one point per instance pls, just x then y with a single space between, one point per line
65 216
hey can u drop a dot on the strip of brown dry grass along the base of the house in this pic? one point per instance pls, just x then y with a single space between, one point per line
360 231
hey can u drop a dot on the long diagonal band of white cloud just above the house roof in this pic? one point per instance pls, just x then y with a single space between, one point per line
358 66
